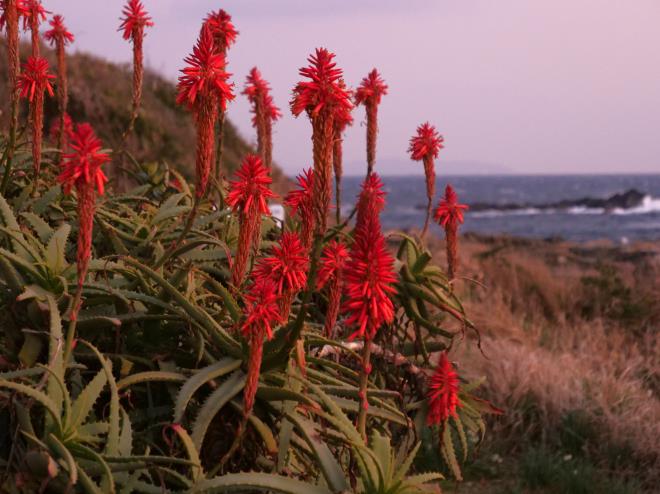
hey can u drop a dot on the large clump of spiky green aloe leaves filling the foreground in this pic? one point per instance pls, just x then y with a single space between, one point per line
144 390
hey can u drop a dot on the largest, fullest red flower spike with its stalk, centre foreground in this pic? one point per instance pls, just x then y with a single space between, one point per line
369 286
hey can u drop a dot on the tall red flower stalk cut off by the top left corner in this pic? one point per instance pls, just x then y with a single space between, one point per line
12 10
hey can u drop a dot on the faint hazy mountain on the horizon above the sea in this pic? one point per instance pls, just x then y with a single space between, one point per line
397 166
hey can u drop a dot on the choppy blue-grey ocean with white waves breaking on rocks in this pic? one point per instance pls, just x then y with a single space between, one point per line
526 206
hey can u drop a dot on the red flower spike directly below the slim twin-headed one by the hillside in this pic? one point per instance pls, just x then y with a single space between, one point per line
248 196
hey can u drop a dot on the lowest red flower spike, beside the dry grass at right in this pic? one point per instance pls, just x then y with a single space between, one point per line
442 393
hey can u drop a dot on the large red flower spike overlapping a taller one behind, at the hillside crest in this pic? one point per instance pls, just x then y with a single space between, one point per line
203 87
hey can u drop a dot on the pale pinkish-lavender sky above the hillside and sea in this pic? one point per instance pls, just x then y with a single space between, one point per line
532 86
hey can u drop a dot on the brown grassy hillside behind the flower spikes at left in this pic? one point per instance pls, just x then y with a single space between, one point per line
100 93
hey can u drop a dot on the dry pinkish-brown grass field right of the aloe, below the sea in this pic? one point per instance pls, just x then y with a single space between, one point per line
554 345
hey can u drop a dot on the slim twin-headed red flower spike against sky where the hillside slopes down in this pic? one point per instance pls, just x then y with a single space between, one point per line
265 112
